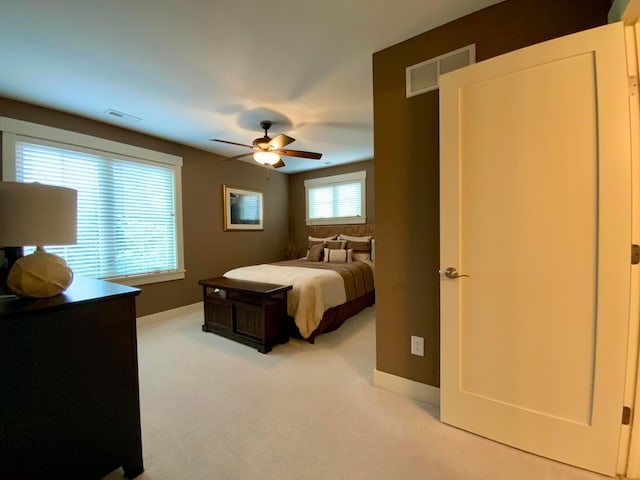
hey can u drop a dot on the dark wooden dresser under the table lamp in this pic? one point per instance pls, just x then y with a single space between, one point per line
69 401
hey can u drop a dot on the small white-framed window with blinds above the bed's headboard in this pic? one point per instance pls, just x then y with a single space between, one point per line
339 199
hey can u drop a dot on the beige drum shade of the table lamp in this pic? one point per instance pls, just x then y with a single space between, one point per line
36 214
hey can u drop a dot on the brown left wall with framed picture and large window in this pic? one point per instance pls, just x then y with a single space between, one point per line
208 250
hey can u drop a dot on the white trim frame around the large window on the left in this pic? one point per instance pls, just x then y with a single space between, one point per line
21 131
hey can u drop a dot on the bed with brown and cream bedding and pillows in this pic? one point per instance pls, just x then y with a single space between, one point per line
333 282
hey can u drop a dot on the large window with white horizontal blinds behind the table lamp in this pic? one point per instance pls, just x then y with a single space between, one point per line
129 226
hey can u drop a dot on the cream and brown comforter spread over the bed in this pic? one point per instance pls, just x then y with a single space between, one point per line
315 290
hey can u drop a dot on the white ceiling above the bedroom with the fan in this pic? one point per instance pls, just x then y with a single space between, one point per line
192 70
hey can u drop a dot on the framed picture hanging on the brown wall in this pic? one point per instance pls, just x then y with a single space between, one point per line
243 209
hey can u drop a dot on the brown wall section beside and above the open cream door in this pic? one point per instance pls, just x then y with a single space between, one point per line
406 164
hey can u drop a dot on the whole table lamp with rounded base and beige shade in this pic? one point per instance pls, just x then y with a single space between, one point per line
37 214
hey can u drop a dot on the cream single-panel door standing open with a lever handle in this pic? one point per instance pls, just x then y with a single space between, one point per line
535 205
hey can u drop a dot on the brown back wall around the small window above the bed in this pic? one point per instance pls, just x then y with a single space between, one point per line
297 205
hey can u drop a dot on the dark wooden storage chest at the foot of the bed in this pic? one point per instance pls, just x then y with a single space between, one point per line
252 313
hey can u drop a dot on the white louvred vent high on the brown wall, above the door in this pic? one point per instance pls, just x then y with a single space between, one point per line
424 76
